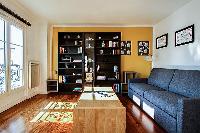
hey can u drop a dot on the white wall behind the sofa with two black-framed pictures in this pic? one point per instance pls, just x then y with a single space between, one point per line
182 57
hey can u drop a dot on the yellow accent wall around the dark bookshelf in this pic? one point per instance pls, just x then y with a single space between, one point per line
131 62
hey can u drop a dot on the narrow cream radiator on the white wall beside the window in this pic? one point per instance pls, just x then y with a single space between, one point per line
34 74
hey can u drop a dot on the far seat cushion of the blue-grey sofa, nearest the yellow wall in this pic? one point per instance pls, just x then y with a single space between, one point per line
140 88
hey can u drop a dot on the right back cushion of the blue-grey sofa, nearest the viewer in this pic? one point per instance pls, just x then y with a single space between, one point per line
186 83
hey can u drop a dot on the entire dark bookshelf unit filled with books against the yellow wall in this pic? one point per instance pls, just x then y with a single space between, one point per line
84 56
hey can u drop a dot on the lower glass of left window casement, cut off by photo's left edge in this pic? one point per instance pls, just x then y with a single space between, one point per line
2 68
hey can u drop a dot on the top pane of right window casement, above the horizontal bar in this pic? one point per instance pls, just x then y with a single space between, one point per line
16 35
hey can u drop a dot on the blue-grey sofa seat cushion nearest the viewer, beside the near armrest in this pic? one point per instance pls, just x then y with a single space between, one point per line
166 101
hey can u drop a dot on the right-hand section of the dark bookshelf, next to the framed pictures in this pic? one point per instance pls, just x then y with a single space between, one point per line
107 55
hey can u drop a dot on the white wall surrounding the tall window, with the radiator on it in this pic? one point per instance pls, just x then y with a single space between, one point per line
36 49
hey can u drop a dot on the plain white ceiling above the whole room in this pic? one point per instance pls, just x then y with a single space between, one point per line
103 12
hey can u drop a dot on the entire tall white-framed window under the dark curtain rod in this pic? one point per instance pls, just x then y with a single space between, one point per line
11 56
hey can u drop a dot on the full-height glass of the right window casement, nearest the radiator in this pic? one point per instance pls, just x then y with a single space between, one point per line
16 60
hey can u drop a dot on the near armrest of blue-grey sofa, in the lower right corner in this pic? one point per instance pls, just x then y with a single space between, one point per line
188 115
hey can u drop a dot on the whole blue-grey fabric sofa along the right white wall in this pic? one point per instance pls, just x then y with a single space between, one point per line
174 96
